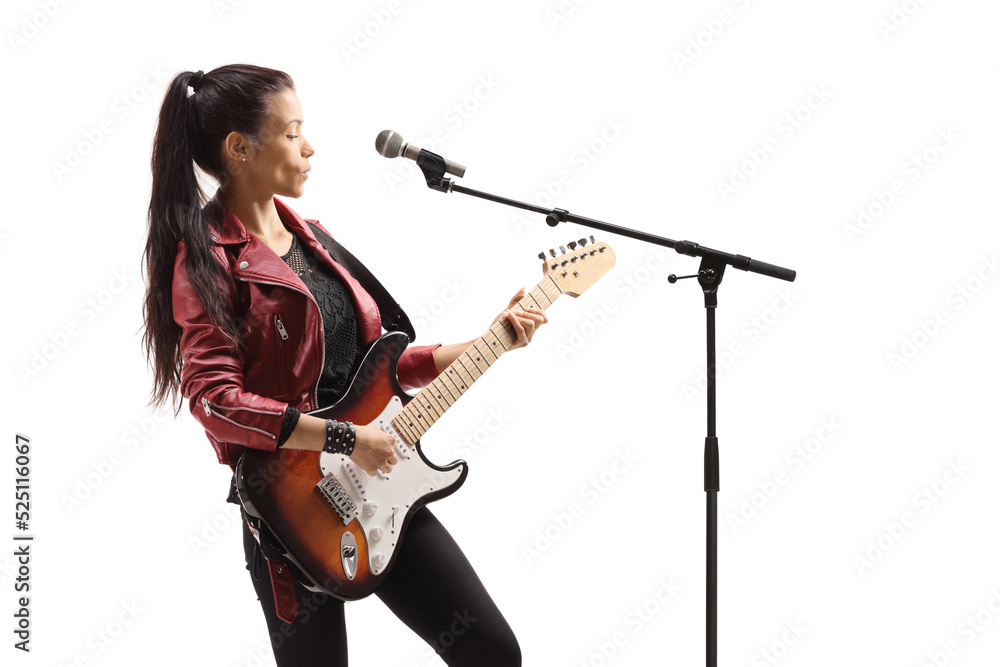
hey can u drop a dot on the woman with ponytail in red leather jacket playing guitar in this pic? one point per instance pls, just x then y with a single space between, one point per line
228 284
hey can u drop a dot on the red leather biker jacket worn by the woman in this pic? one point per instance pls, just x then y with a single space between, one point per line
240 398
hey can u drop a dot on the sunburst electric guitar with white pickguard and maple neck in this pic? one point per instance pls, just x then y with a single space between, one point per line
340 528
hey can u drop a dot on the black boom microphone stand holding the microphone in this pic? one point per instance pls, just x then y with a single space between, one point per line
710 272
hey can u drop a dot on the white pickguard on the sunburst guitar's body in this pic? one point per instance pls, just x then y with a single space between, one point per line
411 478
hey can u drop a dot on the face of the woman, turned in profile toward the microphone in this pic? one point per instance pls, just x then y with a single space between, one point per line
280 164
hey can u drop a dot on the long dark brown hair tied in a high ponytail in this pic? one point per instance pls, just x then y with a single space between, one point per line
191 130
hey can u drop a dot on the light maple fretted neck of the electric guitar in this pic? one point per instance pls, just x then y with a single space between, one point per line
431 402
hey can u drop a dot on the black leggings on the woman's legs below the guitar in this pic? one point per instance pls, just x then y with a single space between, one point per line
431 587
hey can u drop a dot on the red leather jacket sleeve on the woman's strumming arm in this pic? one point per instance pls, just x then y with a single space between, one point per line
212 375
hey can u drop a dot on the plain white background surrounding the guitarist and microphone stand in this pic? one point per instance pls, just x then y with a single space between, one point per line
133 539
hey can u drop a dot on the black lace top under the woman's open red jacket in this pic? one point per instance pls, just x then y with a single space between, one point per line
340 328
